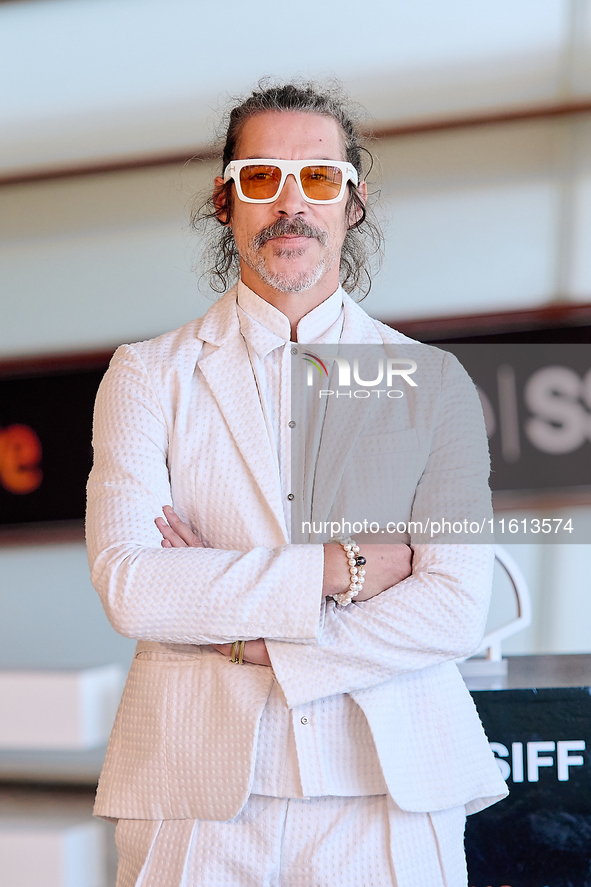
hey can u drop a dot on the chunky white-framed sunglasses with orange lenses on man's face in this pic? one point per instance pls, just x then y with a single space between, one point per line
261 180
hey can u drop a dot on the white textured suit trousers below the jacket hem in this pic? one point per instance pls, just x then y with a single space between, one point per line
280 842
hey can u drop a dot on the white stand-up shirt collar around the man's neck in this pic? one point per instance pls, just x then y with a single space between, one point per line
265 327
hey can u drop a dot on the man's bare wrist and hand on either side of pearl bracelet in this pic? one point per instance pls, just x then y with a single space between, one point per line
386 566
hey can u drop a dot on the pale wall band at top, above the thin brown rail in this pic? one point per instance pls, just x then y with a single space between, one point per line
110 77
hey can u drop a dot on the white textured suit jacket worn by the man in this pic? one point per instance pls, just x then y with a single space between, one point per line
178 421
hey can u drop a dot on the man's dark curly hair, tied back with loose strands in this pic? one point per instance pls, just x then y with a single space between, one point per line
364 239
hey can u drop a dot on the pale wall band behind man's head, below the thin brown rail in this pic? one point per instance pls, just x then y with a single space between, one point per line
486 219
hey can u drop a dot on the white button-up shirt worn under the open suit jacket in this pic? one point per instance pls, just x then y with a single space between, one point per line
291 752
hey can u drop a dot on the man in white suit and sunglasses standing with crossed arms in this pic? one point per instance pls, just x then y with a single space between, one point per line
340 745
